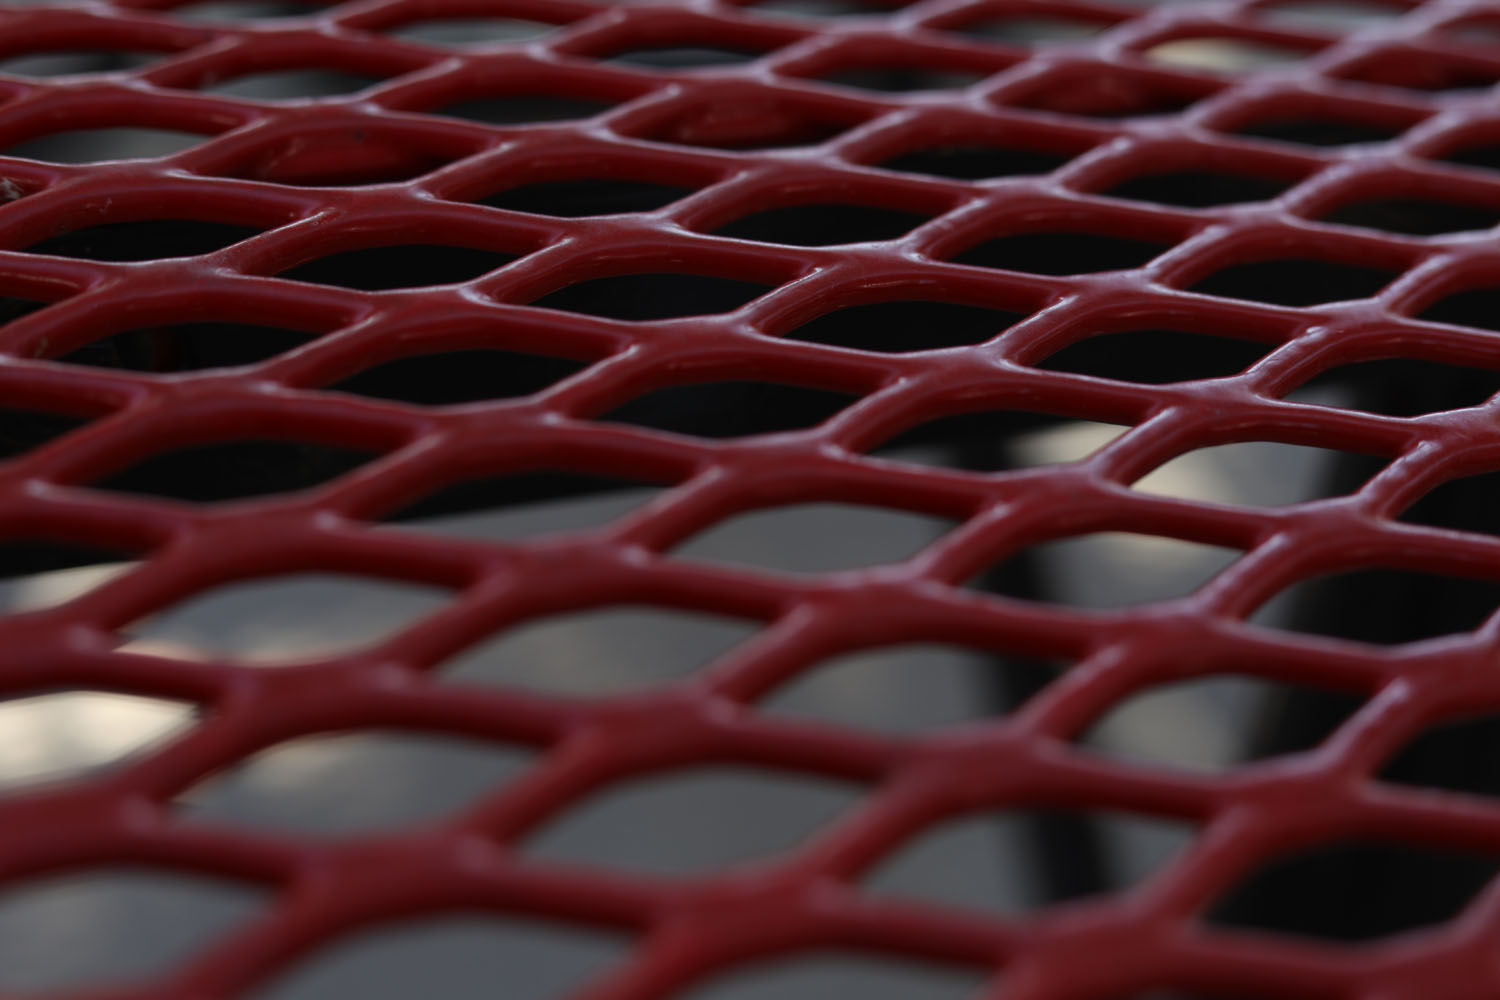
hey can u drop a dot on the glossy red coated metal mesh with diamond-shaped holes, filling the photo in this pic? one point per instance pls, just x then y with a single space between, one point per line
758 136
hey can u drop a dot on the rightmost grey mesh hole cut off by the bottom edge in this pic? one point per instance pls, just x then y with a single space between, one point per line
836 975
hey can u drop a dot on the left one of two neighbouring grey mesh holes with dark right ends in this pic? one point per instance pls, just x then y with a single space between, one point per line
910 689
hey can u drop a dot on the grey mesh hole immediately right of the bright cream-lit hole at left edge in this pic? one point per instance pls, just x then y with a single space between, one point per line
353 783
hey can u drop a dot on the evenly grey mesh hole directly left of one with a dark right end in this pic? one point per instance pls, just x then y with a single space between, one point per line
601 651
